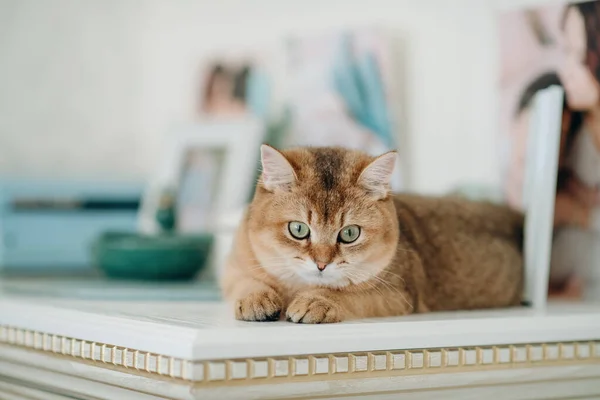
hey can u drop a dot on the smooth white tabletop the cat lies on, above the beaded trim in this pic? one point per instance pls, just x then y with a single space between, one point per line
199 329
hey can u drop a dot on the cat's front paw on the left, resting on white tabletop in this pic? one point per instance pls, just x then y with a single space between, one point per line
264 305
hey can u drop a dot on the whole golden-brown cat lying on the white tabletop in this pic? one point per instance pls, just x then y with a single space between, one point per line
324 241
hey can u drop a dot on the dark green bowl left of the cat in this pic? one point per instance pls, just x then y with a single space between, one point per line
144 257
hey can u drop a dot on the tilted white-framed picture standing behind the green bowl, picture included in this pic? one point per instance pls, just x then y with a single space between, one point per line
210 168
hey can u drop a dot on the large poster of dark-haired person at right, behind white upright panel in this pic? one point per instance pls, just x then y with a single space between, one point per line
557 46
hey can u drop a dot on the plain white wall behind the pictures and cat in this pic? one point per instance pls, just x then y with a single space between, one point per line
83 88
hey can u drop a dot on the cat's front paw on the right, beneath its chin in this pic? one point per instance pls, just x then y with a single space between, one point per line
313 309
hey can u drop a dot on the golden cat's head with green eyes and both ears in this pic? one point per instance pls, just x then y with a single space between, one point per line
323 216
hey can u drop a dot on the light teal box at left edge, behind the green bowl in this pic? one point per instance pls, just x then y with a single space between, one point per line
51 226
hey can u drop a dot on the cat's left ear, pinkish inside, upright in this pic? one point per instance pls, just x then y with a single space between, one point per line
277 172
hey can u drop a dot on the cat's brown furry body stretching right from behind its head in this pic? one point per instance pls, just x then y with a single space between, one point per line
470 251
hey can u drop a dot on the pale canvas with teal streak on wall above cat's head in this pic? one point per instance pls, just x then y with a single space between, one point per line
341 88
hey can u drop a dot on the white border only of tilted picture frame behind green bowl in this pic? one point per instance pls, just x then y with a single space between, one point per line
236 142
